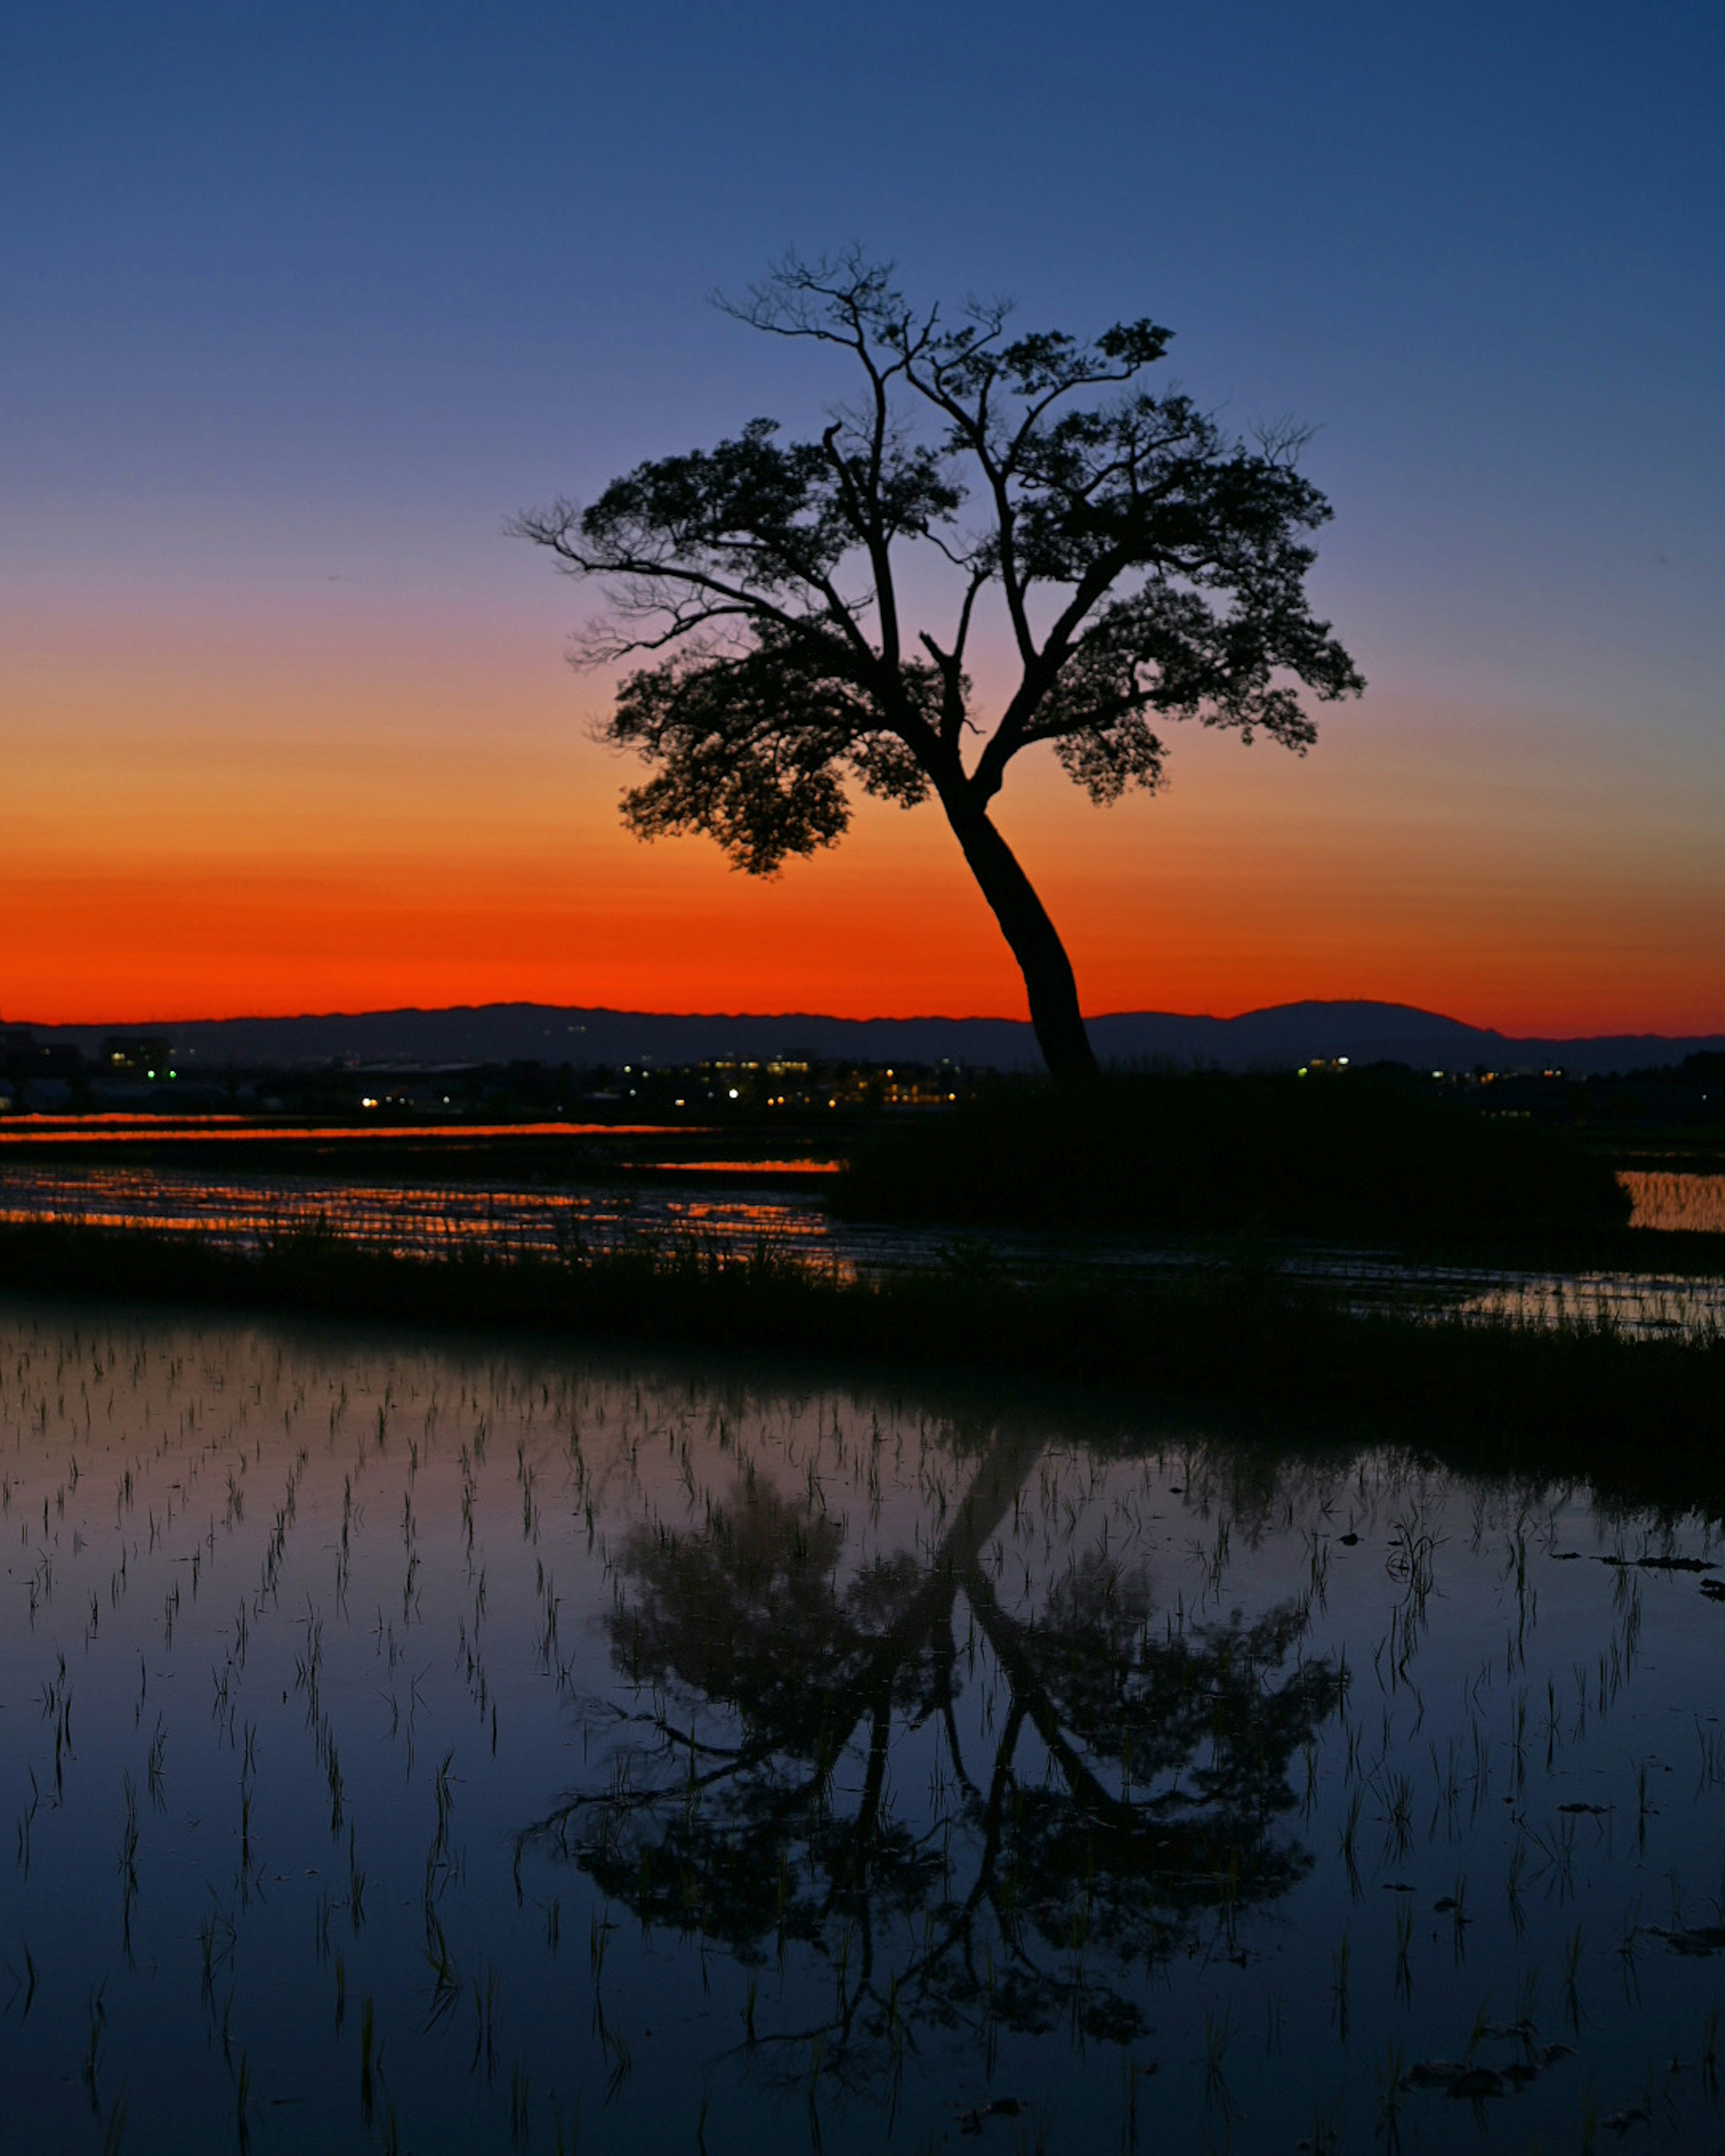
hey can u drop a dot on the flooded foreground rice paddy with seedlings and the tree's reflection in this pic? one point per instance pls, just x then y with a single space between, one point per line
432 1747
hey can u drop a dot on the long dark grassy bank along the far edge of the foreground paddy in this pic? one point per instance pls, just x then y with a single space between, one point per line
1644 1420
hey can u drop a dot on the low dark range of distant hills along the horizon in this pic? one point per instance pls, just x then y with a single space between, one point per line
1278 1038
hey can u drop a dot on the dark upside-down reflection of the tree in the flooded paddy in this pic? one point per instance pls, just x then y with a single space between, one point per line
1114 1786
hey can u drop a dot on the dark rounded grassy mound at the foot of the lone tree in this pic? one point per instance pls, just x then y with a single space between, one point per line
1215 1155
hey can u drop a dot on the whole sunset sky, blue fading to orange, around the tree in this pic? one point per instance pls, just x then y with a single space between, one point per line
303 303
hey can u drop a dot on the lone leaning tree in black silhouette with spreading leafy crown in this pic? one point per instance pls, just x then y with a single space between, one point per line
1148 568
